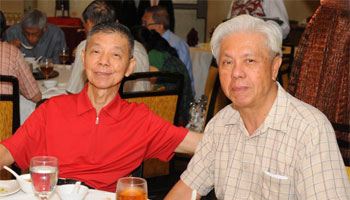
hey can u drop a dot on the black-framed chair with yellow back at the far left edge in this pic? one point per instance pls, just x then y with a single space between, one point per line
9 114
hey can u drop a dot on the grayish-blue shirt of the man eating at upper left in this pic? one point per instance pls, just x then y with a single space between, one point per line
49 44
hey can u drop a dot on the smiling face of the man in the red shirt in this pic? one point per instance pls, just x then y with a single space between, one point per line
107 60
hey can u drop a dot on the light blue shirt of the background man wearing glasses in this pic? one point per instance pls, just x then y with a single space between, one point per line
182 50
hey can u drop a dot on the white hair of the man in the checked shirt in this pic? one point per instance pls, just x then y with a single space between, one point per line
269 29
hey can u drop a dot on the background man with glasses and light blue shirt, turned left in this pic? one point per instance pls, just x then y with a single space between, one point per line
157 18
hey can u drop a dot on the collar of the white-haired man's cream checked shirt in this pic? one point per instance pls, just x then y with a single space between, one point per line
276 117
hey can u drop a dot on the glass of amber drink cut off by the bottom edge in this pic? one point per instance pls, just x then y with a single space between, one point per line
131 188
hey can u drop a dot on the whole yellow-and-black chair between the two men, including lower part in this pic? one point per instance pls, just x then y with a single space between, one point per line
164 103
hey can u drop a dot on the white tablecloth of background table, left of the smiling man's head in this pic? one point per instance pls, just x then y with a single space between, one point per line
27 107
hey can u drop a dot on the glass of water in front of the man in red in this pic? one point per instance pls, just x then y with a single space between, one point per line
44 174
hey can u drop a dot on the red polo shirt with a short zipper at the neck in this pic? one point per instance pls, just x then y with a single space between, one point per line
97 151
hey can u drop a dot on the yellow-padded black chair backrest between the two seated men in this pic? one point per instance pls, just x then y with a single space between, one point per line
164 103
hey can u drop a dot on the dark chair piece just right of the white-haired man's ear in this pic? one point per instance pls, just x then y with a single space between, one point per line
287 60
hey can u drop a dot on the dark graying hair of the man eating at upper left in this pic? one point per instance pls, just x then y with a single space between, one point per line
33 19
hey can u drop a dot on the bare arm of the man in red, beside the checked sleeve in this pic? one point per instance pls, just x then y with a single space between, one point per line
189 144
